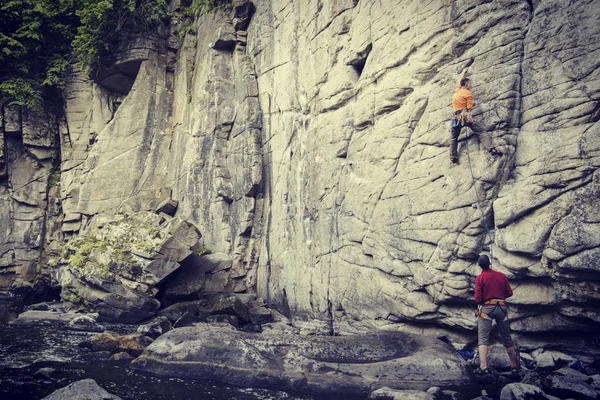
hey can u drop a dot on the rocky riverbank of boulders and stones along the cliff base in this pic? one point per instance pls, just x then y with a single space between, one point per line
181 344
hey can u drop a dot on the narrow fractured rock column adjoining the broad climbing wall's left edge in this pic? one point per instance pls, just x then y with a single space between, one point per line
215 162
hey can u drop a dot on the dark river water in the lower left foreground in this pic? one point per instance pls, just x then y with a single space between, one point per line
25 350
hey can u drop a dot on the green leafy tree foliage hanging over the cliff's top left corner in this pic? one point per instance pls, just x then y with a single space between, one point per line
39 38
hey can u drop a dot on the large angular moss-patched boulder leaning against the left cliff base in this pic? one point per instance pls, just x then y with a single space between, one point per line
115 268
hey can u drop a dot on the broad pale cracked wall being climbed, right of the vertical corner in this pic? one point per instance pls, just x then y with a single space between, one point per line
366 219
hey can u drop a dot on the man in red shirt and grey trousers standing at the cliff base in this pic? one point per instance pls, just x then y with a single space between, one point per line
491 290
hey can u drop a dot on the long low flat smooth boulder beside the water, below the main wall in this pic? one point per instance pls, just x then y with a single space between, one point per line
332 364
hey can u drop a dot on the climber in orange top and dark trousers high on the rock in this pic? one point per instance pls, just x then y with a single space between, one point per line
462 103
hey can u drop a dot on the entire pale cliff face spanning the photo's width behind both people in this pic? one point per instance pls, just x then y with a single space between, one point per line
308 141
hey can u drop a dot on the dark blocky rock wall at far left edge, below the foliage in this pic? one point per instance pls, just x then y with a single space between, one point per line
27 151
